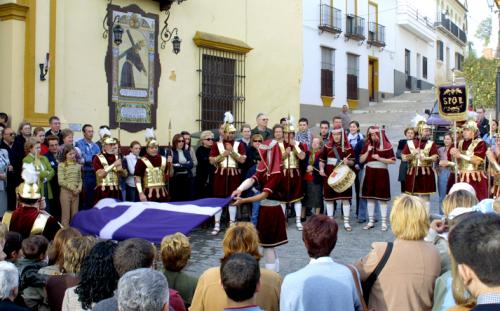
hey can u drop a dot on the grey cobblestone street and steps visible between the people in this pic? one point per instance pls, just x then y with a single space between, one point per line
395 114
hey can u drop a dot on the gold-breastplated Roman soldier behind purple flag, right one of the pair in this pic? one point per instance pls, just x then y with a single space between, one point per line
153 172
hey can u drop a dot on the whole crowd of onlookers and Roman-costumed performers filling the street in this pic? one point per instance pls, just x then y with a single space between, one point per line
441 263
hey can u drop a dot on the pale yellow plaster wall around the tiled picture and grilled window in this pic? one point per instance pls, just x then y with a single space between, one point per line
273 67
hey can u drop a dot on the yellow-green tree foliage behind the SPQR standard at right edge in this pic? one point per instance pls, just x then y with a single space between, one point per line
480 74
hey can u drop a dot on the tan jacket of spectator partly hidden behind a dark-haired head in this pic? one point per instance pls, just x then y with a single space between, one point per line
210 296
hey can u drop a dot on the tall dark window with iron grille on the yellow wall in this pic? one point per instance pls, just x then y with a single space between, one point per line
222 87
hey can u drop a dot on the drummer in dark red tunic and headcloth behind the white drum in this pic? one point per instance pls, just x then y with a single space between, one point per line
332 156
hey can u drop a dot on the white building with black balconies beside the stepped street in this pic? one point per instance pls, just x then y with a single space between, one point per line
358 52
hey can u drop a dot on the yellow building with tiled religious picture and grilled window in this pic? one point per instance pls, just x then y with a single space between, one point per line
165 64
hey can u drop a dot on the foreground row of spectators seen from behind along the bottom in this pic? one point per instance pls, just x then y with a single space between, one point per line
445 264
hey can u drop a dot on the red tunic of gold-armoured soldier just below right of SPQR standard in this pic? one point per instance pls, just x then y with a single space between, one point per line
480 184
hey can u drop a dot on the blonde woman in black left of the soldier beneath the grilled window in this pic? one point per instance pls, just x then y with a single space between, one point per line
204 170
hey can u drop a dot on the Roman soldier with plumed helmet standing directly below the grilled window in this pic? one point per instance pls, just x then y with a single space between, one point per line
227 176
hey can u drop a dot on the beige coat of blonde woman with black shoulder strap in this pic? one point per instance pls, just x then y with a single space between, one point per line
407 280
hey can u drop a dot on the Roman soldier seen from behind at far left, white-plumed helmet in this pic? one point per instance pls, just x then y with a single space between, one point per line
29 218
